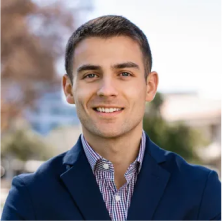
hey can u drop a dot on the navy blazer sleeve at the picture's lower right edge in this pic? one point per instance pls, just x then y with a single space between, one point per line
211 203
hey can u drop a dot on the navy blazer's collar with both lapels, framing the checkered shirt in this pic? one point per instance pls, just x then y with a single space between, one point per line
81 183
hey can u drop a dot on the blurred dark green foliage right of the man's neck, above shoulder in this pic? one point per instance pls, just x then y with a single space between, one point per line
176 137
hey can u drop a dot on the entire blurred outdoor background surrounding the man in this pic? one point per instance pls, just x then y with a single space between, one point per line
35 121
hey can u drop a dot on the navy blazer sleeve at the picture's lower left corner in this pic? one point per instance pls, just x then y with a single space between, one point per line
18 205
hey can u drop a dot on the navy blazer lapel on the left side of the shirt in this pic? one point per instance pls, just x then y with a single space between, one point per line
81 183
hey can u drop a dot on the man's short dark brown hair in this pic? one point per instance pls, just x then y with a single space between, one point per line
105 27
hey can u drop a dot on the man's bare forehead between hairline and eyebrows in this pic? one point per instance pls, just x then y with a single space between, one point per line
107 51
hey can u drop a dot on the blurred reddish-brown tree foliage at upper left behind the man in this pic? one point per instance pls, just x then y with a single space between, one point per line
31 42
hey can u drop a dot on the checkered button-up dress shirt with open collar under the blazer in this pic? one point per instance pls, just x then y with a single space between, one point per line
117 201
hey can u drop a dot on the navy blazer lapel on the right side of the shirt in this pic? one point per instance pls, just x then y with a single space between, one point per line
151 183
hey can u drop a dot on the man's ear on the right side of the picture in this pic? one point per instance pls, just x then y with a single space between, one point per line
152 84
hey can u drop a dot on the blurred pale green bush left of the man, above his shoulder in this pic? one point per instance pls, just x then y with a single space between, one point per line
24 145
